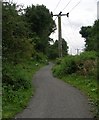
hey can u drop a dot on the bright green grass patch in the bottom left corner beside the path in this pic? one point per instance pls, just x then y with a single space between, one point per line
19 103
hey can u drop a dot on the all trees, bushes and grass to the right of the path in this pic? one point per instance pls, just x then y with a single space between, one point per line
82 71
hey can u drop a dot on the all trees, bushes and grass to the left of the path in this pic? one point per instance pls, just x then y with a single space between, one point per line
24 49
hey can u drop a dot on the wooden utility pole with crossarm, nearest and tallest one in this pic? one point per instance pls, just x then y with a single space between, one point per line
60 31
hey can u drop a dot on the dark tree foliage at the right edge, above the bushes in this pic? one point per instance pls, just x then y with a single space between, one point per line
91 33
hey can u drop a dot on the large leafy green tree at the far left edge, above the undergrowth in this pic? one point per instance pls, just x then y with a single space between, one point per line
15 41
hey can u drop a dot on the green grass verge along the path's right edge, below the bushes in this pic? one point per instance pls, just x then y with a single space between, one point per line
87 85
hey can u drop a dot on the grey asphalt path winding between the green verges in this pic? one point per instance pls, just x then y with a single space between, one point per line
55 99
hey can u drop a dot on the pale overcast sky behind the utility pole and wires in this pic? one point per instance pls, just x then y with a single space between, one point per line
84 14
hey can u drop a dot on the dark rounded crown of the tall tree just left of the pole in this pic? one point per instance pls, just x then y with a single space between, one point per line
40 19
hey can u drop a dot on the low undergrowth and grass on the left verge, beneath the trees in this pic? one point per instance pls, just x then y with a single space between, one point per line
17 86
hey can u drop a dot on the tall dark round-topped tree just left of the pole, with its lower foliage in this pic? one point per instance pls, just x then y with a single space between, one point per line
41 23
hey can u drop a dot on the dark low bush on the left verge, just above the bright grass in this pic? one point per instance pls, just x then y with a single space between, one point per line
15 77
